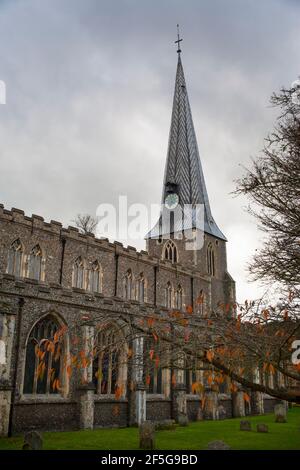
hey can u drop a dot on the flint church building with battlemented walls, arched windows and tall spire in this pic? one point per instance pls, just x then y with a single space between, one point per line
56 279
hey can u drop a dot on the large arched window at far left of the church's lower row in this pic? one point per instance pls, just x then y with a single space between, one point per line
43 363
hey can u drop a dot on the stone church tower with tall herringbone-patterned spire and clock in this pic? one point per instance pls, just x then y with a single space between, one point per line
186 214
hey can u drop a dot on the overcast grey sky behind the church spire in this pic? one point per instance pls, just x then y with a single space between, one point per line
89 94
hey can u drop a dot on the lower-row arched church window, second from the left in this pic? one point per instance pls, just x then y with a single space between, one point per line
109 357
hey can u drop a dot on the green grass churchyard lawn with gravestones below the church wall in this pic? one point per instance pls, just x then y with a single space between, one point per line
195 436
